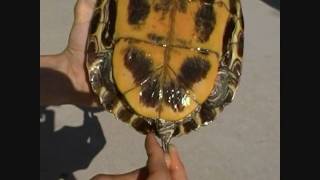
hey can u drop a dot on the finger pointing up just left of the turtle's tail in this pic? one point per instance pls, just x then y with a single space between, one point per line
156 157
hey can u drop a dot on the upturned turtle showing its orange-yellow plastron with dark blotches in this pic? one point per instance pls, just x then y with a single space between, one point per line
165 66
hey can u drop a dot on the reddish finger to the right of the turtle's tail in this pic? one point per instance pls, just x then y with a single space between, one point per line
177 169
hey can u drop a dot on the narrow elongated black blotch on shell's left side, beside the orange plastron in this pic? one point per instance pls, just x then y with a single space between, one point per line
108 31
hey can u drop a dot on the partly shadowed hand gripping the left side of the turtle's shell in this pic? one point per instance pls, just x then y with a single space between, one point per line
66 70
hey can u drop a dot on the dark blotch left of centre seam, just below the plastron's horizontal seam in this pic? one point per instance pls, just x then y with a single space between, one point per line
138 64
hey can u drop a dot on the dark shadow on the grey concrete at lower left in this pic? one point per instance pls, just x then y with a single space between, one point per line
69 149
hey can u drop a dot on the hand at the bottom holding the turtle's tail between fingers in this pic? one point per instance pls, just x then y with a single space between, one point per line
160 166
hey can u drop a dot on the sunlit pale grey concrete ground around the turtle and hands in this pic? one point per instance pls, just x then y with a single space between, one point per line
243 145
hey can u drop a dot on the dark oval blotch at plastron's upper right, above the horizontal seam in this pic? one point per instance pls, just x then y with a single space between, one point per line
204 22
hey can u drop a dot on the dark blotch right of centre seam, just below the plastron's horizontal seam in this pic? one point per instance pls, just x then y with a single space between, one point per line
193 70
